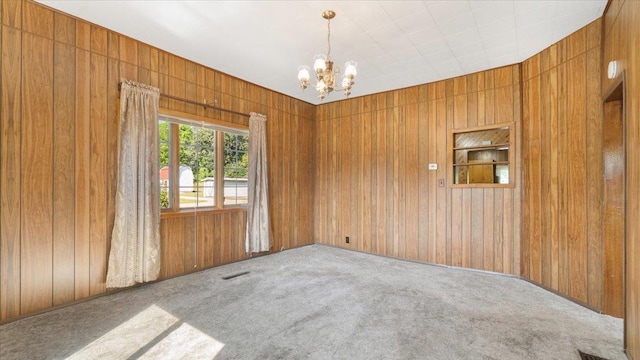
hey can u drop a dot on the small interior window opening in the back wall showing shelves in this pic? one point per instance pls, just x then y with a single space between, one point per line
482 156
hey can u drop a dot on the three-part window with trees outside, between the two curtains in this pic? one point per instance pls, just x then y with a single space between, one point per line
190 152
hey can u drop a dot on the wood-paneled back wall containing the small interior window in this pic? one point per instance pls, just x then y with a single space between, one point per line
373 183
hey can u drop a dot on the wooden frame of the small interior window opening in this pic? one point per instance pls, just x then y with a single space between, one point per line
451 163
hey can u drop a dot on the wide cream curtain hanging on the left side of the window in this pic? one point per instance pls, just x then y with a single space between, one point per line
135 242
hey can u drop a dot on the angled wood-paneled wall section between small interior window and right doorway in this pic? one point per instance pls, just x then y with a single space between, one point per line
562 246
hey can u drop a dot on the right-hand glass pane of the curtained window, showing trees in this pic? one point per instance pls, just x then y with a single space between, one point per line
236 162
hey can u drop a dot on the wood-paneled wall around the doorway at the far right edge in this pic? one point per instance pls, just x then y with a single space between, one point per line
622 43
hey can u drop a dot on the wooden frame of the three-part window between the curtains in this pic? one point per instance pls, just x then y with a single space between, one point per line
175 118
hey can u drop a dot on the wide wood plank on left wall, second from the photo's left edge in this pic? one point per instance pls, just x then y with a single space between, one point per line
36 156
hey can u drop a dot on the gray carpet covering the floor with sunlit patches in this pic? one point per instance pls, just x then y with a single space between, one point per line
319 302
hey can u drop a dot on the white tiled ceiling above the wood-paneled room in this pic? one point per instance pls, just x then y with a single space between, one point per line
396 43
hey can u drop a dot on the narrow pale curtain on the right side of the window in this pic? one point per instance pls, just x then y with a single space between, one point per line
258 229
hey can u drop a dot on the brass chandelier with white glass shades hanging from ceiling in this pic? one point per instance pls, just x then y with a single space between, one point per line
325 71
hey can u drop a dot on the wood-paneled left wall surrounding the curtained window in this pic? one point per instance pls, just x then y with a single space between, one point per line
58 133
